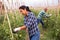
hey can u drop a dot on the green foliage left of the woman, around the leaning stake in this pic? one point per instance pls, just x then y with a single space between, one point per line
16 21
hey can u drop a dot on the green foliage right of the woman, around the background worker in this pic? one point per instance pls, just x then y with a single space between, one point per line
51 25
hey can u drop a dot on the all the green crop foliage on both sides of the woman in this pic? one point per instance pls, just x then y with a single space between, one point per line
51 24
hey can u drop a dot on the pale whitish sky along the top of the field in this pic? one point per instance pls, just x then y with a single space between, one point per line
34 3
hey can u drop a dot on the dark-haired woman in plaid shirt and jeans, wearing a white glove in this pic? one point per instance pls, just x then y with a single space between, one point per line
30 23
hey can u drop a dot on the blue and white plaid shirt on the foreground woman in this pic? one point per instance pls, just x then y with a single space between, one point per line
30 21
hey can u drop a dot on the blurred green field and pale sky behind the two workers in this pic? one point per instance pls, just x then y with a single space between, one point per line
11 18
